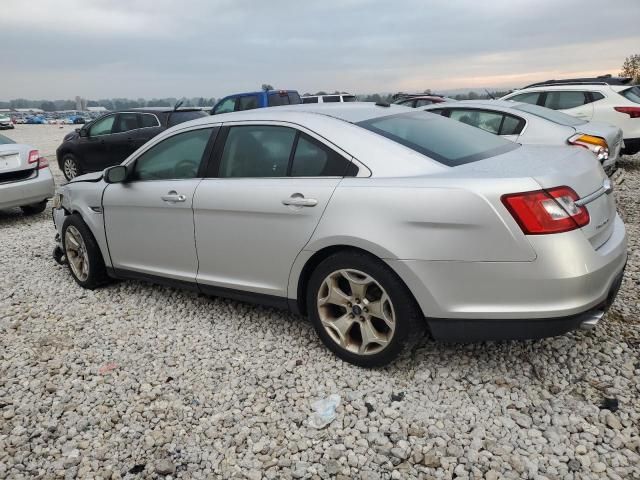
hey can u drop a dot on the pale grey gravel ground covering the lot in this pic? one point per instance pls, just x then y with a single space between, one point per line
140 381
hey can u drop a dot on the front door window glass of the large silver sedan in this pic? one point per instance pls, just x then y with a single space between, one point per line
176 157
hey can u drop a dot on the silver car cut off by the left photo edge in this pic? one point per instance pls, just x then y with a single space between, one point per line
25 178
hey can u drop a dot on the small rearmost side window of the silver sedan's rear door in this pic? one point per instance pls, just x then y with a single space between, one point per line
313 159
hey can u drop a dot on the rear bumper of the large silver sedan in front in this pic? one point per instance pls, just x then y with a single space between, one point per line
568 279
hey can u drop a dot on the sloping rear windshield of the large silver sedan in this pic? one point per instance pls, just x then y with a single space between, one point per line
448 142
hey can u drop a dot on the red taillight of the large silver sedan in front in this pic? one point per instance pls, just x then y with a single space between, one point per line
546 211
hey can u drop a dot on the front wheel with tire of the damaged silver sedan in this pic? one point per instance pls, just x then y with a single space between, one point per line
82 253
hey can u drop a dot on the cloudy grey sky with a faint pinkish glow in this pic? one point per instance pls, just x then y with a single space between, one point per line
159 48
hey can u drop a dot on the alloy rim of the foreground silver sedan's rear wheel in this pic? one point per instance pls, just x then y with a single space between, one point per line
356 311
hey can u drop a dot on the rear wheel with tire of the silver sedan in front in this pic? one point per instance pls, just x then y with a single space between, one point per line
361 309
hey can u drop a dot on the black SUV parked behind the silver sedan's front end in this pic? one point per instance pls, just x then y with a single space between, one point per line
110 139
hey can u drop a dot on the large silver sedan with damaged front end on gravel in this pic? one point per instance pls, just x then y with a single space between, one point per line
378 222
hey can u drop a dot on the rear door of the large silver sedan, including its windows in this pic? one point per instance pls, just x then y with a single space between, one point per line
267 192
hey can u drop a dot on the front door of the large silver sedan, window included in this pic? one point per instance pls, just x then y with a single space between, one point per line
149 218
